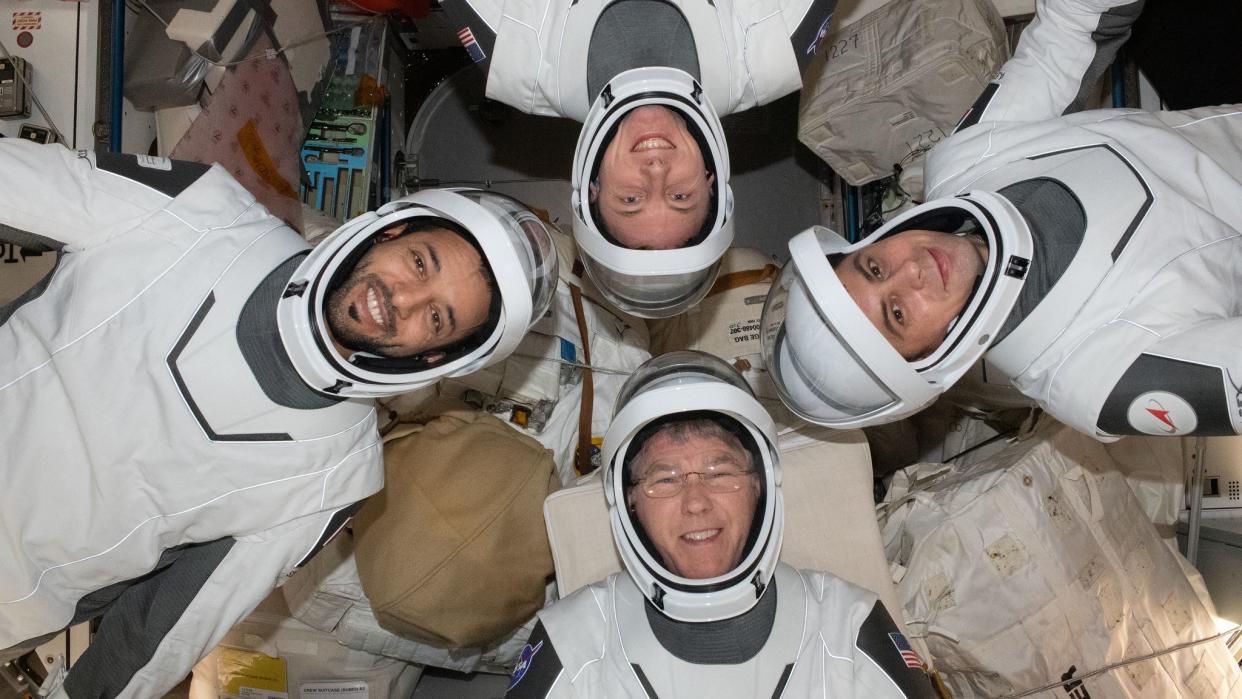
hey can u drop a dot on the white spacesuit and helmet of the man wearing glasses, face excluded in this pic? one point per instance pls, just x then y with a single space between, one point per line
762 629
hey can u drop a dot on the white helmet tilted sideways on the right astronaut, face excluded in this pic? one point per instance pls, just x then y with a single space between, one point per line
834 368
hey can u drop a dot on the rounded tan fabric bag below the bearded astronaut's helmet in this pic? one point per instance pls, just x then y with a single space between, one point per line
454 552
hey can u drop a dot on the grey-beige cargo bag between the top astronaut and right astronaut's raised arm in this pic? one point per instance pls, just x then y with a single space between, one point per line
886 89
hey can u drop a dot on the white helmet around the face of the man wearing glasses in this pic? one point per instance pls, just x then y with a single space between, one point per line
692 386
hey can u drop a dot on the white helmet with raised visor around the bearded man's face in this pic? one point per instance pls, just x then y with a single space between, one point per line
515 244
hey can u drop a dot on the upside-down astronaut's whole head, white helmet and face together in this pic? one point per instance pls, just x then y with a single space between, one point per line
658 259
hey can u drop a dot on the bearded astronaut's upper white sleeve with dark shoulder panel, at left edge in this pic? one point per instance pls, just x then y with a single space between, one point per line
53 197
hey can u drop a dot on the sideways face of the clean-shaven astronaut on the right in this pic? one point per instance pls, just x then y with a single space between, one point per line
913 285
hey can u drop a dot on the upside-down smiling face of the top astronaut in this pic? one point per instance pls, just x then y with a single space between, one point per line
654 192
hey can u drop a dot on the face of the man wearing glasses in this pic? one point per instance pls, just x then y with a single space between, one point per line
697 533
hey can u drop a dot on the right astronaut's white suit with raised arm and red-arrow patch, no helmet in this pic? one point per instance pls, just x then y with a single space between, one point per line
1162 259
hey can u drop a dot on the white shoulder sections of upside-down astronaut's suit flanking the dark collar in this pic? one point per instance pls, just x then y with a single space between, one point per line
540 61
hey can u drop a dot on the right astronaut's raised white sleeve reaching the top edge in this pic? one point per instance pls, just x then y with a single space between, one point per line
1059 60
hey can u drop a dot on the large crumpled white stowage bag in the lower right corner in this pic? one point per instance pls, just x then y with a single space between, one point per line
1039 566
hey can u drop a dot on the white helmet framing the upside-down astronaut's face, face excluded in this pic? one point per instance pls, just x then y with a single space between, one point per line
653 284
